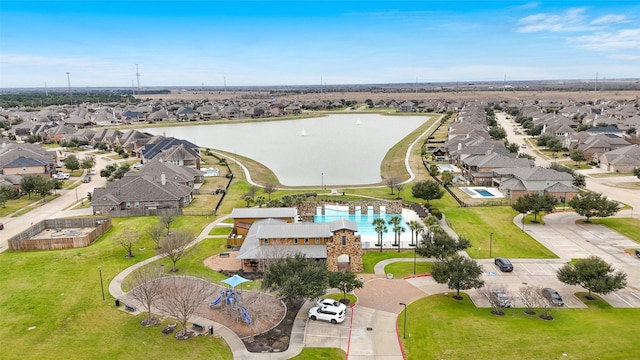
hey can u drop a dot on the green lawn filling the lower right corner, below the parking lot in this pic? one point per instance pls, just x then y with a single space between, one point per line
439 327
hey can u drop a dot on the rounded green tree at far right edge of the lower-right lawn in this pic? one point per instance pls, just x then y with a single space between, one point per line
593 274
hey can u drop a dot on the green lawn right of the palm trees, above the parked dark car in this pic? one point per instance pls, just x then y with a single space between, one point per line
509 240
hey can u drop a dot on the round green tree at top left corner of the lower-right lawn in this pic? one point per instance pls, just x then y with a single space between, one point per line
459 273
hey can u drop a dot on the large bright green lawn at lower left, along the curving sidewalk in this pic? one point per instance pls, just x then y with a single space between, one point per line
59 293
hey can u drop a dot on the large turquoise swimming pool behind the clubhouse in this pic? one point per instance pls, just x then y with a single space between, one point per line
365 227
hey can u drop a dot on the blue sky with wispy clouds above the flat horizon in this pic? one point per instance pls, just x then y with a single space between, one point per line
243 43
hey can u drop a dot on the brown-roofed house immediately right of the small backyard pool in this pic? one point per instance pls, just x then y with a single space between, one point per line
517 182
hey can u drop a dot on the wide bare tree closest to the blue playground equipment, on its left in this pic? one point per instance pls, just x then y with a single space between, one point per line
181 297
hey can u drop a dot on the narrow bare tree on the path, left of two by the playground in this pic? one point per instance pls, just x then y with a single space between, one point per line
146 289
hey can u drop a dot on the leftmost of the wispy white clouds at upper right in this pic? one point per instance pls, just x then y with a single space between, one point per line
571 20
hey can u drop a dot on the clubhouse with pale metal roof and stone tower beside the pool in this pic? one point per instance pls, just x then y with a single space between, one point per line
269 233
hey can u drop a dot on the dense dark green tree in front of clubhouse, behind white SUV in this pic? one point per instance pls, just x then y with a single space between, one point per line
295 278
